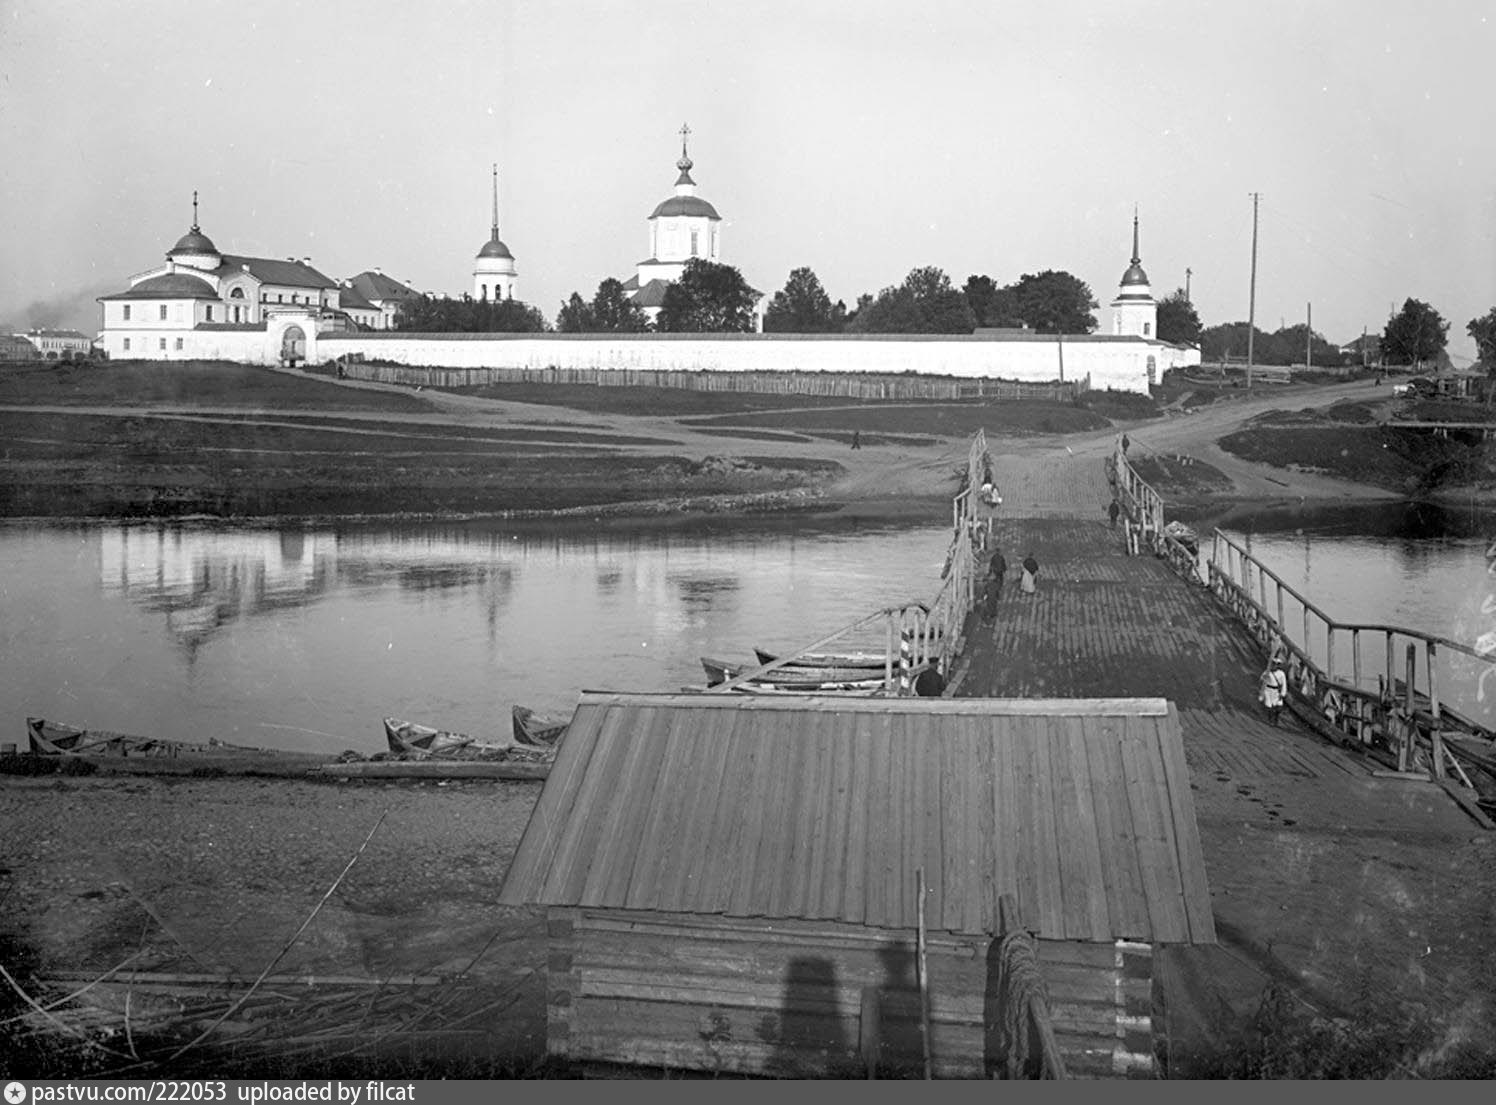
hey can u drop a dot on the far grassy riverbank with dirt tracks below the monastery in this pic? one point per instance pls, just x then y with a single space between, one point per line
228 442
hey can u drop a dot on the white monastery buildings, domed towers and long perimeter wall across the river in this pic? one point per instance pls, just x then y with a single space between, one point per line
203 304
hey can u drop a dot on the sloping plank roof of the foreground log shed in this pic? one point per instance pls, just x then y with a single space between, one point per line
824 808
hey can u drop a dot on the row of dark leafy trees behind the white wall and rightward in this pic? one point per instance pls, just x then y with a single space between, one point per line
713 298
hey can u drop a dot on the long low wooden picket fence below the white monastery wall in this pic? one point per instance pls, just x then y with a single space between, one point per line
830 385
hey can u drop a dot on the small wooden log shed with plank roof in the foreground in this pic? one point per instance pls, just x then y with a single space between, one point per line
732 881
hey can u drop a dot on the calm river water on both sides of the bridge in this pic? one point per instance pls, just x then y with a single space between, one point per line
309 636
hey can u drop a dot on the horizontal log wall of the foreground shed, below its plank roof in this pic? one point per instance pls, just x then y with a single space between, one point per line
786 998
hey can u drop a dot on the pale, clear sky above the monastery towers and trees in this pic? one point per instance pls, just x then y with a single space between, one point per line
858 138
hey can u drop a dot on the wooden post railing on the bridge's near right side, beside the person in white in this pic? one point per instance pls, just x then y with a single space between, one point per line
1371 683
